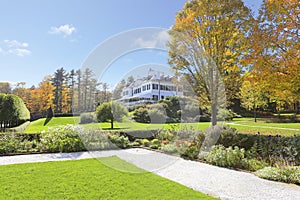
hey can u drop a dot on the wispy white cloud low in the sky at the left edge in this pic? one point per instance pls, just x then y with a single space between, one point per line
15 47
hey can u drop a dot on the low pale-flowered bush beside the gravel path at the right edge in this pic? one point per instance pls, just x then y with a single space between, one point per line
289 174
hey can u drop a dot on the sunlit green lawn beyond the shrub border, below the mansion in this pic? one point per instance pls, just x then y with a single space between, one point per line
243 125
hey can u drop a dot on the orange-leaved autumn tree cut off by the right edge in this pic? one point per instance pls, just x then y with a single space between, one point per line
274 56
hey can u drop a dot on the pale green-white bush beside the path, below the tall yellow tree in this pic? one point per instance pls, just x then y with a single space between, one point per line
226 157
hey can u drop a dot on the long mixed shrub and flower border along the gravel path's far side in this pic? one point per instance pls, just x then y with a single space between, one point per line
272 157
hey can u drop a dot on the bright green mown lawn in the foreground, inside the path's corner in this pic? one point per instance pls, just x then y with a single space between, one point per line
87 179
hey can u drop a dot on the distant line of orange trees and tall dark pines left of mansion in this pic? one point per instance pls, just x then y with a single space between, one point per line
63 92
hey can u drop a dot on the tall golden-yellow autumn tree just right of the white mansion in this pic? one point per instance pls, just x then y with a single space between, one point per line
208 39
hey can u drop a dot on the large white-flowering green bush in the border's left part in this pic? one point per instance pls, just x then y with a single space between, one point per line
62 139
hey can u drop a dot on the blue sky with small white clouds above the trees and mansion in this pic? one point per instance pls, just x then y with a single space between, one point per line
38 37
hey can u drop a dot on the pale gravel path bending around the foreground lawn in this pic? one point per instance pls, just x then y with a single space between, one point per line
216 181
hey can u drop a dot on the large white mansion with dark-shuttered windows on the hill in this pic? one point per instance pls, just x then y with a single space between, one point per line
150 89
